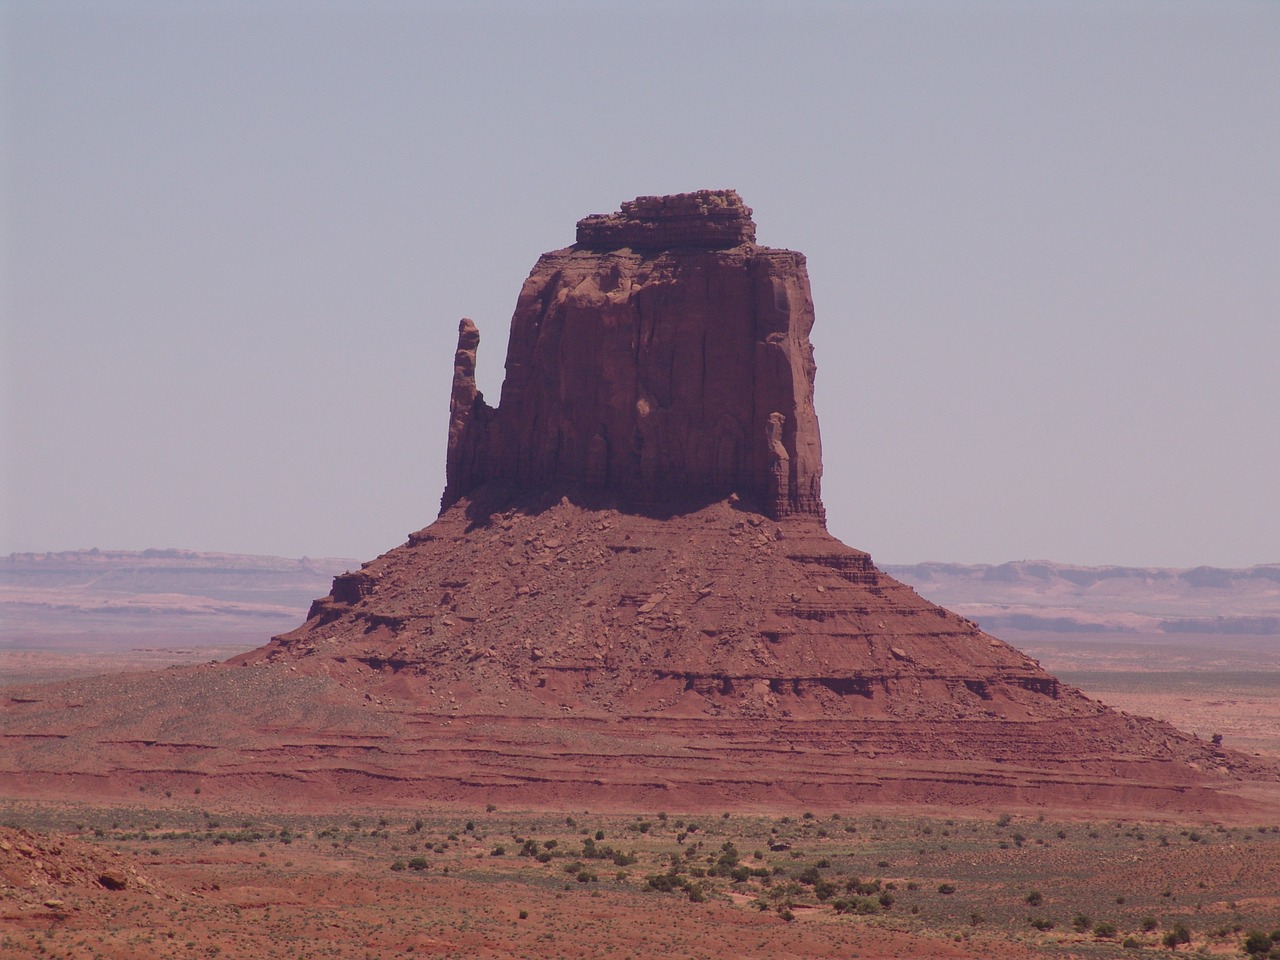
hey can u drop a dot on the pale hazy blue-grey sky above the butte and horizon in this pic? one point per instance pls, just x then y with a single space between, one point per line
1044 241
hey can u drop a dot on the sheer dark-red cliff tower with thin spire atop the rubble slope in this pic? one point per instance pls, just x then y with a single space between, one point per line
664 359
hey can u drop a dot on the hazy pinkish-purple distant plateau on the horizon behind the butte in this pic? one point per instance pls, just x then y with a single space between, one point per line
255 596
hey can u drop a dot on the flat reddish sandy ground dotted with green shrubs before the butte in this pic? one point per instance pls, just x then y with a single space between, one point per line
492 884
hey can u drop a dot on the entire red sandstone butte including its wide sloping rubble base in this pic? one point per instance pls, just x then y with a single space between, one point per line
629 600
